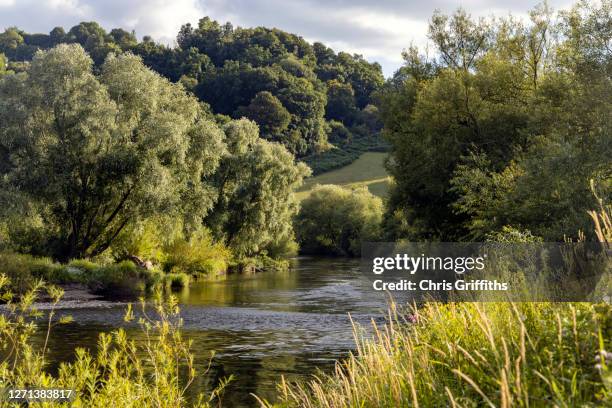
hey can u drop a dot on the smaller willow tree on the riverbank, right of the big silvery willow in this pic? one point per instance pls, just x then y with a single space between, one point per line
255 184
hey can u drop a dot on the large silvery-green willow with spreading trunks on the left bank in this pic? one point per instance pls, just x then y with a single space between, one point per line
103 151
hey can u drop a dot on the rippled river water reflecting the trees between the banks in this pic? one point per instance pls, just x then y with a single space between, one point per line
260 327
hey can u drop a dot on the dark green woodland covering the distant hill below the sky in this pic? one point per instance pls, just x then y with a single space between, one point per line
299 94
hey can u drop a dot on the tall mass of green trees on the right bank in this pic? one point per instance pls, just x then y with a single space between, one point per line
507 127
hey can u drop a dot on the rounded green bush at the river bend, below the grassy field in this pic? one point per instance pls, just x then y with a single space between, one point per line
334 220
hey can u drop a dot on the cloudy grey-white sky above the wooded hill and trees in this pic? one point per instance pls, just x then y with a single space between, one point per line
377 29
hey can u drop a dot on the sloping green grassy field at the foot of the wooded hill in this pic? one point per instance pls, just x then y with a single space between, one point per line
368 170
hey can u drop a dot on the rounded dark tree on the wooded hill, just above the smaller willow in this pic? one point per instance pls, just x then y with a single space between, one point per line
268 112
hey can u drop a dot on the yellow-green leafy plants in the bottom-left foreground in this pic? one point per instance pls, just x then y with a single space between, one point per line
156 371
